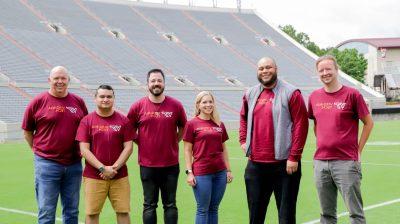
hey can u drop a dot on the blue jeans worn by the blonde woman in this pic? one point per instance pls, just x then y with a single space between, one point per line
208 192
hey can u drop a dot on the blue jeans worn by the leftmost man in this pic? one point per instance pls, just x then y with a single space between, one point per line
53 179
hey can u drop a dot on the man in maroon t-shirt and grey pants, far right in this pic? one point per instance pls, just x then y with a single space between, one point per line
336 110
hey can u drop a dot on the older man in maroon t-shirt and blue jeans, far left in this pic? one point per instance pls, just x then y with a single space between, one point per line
50 123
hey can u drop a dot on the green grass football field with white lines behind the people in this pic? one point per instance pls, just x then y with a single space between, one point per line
380 185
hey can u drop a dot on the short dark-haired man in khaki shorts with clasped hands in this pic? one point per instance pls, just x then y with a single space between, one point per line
105 137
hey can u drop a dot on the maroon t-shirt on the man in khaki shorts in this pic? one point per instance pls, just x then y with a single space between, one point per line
106 136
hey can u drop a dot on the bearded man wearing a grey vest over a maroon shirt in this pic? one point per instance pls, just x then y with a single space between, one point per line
273 131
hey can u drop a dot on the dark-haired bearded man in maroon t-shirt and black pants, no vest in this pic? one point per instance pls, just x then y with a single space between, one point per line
159 121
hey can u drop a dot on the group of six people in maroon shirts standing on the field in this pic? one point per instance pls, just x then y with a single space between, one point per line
272 134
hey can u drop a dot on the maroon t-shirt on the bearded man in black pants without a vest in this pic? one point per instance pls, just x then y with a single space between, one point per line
156 125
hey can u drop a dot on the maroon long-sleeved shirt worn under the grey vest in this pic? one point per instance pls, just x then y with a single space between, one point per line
262 142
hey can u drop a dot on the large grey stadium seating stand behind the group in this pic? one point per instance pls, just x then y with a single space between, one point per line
117 42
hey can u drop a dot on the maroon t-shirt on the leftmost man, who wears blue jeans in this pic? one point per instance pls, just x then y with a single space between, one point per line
54 122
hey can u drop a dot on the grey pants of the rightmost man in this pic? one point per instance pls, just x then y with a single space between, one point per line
345 176
